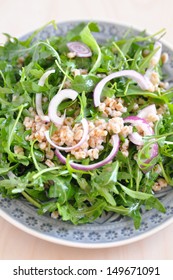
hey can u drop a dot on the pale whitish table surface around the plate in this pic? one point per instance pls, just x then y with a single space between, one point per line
18 18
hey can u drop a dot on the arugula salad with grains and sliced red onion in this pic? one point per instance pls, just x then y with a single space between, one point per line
85 127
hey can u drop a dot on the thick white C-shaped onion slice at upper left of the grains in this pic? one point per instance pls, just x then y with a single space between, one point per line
56 100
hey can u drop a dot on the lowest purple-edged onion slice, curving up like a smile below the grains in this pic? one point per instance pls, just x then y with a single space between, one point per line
116 143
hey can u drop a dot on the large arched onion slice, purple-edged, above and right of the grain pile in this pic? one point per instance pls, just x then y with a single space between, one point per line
142 82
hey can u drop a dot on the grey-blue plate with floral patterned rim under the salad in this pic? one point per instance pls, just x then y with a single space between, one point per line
110 229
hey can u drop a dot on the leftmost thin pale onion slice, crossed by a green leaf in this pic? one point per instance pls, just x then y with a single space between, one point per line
38 99
